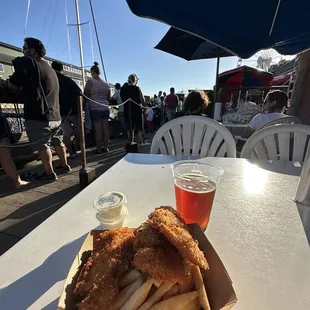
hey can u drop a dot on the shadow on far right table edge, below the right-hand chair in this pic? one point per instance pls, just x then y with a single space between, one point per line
278 166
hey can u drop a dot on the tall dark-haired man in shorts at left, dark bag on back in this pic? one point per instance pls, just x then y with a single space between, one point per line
40 89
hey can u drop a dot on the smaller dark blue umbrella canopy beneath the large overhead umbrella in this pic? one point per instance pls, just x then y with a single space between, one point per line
189 47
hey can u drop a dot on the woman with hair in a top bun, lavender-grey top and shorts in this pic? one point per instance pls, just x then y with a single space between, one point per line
99 91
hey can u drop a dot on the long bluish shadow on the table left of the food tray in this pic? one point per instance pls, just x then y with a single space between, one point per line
22 293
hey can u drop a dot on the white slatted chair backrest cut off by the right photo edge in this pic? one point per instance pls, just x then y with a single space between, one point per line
287 142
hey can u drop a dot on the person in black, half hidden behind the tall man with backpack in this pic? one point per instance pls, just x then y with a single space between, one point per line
69 96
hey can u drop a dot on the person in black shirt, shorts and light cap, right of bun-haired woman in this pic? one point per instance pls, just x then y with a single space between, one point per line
133 110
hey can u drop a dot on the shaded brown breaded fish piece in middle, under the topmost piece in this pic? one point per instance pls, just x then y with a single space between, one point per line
155 255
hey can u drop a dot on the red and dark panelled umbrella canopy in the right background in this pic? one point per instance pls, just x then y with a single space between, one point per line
244 77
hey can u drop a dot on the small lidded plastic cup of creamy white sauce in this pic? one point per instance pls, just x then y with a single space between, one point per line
111 210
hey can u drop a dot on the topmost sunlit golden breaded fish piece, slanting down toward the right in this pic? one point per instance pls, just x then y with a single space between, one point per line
172 226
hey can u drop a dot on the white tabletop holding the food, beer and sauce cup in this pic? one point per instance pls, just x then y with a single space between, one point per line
255 228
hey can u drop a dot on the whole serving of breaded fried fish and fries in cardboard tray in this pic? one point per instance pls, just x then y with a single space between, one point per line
156 267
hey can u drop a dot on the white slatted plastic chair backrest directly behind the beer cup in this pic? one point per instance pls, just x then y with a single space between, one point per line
196 136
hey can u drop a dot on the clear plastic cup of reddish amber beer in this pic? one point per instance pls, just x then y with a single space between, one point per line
195 185
